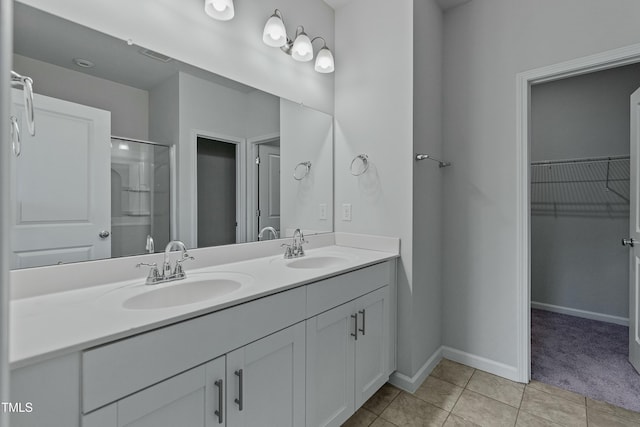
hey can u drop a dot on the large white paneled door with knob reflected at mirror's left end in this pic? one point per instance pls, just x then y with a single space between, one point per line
61 184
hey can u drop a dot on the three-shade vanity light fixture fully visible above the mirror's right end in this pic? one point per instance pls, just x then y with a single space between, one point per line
301 47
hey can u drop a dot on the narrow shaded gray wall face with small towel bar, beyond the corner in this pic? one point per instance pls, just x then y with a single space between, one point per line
427 181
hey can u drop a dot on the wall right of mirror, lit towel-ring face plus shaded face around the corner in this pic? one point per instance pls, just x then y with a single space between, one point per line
389 109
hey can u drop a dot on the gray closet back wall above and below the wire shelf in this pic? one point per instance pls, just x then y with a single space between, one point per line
578 262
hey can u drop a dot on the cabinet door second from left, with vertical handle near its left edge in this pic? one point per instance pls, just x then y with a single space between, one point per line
266 381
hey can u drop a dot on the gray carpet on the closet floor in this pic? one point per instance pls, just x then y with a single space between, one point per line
585 356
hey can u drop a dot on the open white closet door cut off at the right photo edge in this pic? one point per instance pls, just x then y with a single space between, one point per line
634 233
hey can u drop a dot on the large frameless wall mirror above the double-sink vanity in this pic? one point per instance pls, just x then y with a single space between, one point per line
133 149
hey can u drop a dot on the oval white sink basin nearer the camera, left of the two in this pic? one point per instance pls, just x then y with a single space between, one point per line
189 291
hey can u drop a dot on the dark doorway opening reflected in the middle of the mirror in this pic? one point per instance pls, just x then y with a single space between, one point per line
217 192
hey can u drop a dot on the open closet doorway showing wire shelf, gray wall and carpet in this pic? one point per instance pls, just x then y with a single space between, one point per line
579 206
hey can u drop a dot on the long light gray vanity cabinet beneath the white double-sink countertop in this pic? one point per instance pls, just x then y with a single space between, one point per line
275 369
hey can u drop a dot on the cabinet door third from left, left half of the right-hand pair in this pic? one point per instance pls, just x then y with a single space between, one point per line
330 366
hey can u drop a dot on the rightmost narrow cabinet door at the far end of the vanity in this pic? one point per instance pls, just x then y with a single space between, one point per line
372 344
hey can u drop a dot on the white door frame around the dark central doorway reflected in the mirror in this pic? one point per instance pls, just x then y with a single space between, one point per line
241 185
